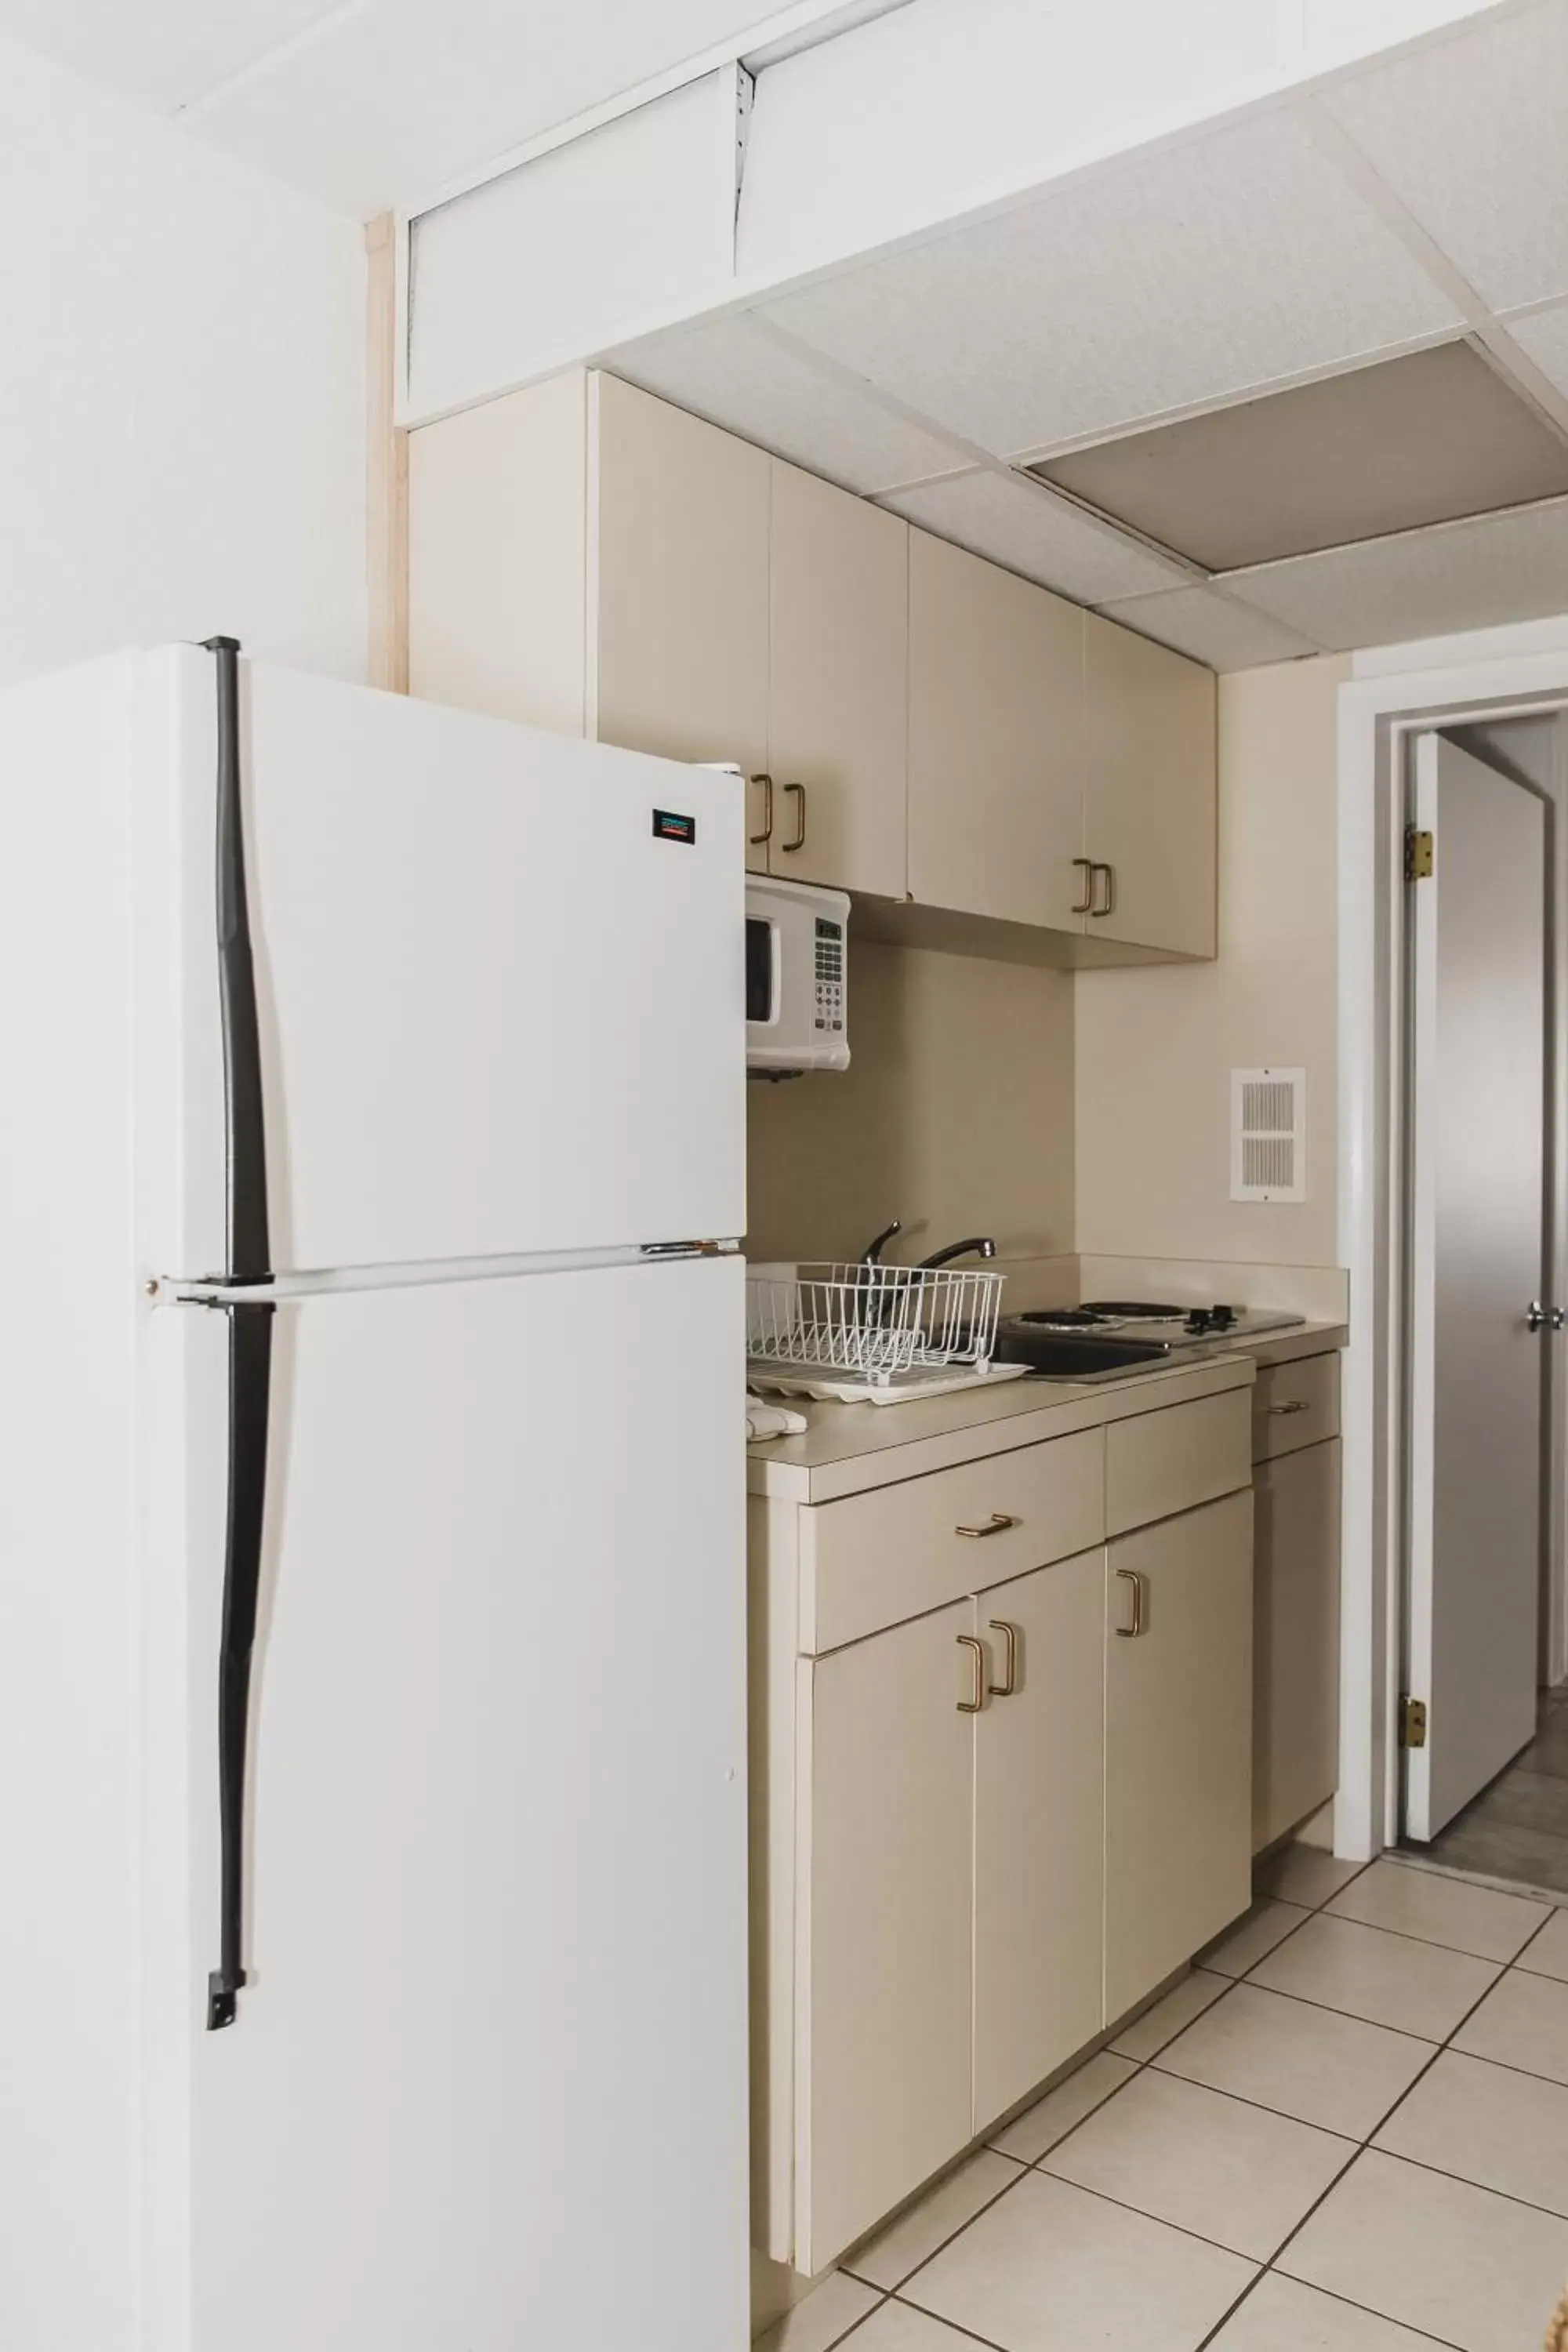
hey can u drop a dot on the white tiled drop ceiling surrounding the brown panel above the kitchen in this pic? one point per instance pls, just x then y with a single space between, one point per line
1271 250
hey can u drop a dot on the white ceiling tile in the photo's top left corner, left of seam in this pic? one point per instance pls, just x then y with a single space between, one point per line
166 55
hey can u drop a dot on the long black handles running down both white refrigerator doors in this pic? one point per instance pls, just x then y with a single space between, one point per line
250 1335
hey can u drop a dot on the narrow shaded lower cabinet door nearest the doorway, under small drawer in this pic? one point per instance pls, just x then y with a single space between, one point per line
1296 1641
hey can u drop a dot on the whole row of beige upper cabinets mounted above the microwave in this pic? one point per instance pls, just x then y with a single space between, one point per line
591 559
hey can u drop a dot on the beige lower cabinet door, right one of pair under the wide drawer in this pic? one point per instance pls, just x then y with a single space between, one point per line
1040 1829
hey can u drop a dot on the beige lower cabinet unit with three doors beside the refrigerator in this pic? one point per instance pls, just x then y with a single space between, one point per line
986 1831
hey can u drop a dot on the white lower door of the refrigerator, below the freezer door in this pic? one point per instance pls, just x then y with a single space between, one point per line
488 2076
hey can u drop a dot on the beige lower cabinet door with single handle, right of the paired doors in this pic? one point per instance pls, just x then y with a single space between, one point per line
1179 1739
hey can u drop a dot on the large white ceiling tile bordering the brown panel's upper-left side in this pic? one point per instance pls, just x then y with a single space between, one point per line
1174 279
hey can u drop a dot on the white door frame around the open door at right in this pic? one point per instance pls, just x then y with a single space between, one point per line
1393 697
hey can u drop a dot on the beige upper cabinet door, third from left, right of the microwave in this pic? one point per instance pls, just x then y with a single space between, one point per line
996 742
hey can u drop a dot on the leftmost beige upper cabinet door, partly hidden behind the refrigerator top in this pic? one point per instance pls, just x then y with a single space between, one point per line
678 570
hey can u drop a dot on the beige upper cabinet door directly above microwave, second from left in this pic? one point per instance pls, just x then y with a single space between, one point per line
840 688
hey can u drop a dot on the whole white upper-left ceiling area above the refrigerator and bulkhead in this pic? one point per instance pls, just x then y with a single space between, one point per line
375 102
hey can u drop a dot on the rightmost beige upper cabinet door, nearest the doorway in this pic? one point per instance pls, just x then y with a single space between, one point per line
1151 801
